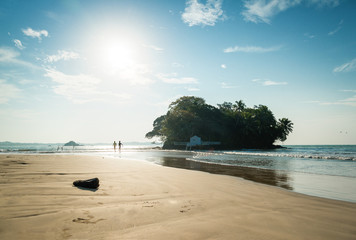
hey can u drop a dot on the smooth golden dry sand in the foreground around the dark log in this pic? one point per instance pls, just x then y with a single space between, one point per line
139 200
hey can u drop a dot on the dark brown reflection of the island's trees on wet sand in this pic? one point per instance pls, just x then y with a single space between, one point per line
266 176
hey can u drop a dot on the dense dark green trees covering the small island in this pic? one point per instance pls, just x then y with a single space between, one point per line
234 125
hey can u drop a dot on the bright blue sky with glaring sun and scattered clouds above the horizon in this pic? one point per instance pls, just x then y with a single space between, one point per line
99 71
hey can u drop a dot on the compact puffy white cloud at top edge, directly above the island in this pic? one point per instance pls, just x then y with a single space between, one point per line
197 13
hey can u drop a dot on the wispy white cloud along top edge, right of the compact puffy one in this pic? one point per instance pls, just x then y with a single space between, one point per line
263 10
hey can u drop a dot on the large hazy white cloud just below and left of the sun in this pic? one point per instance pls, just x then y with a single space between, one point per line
81 88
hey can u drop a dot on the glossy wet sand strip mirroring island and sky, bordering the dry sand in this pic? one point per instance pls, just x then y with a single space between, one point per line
293 181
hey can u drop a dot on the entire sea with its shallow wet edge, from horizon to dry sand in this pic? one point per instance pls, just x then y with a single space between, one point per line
327 171
